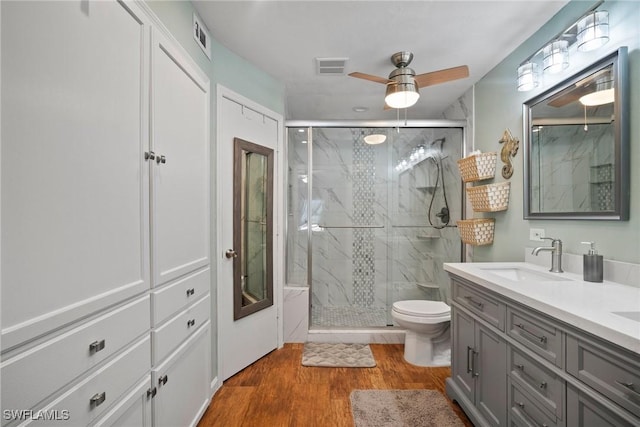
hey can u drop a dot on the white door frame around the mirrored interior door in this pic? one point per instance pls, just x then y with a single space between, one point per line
278 212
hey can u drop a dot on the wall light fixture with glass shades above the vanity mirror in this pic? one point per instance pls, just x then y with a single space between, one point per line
589 32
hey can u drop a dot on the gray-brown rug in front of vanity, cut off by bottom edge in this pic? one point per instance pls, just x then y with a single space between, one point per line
398 408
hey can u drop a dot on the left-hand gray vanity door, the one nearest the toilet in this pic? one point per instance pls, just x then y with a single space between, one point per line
463 352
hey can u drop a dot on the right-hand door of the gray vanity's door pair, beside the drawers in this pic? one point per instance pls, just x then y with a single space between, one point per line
491 391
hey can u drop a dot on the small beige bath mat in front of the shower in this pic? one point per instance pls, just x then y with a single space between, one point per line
337 355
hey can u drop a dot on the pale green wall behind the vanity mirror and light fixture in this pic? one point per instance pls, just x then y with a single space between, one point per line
498 105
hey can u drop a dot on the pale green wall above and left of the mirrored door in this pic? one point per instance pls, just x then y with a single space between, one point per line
236 74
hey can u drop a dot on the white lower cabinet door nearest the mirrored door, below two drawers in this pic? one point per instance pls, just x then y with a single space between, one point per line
182 381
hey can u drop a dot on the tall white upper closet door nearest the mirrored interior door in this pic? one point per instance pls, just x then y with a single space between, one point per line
180 185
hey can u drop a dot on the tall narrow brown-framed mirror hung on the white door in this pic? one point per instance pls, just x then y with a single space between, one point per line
252 228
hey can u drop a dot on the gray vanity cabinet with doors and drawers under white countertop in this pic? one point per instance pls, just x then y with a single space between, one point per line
517 366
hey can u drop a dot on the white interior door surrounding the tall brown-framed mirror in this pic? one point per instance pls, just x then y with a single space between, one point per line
247 339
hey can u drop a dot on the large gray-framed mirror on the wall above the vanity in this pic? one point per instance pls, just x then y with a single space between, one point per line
577 145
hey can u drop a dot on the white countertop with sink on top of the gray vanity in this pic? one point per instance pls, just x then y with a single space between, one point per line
585 305
